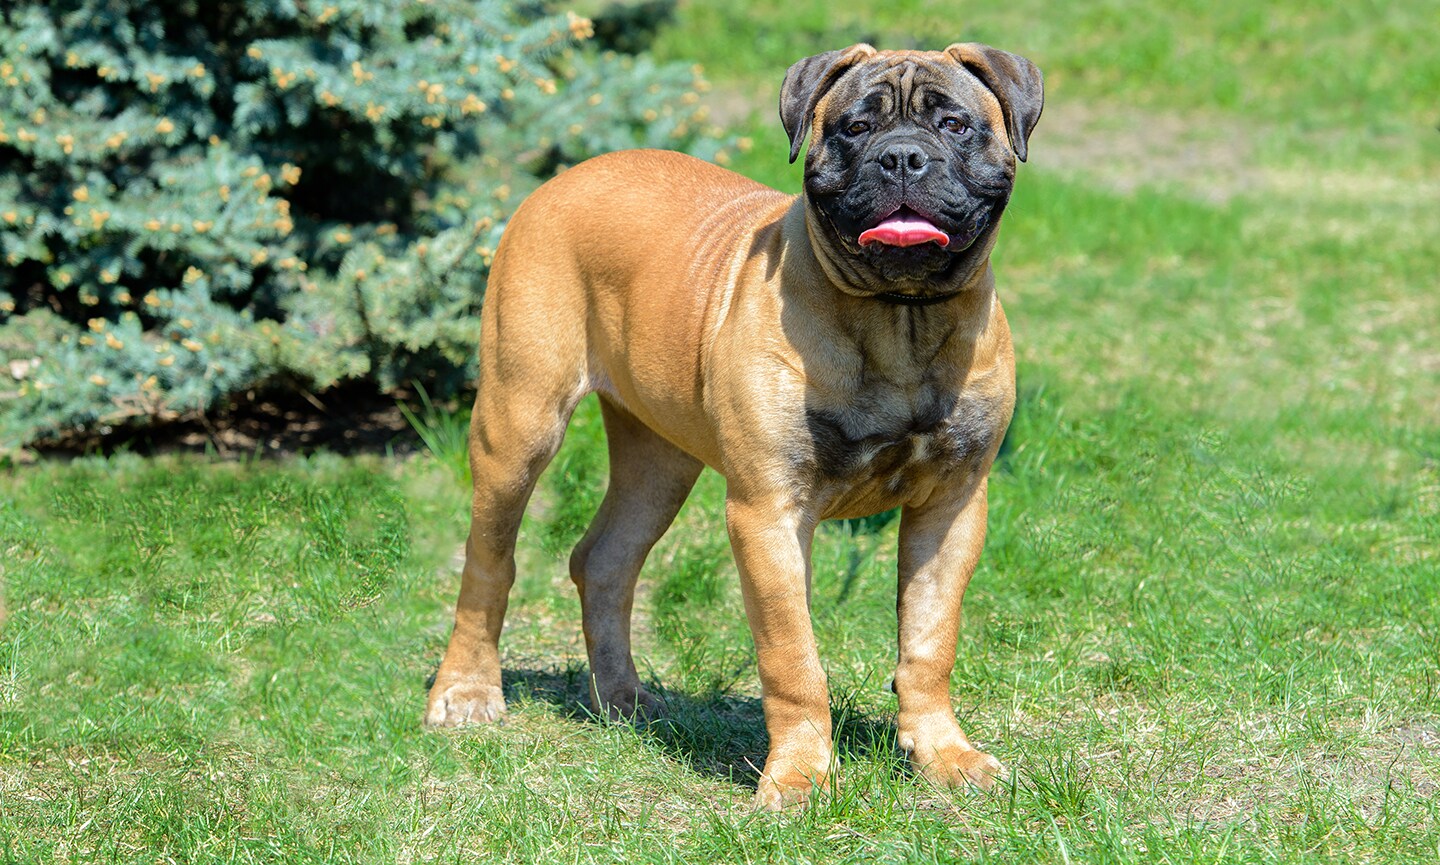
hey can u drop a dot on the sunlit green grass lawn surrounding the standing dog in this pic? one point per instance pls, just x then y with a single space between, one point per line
1206 625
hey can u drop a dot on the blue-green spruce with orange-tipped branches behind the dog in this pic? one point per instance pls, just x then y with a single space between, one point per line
205 199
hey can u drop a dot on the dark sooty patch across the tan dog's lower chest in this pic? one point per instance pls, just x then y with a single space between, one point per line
883 437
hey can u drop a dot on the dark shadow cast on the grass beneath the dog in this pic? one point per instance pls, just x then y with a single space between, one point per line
716 735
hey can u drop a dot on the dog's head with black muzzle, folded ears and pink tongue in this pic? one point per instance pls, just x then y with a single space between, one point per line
912 159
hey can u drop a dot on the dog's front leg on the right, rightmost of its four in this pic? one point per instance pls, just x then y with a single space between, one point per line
940 546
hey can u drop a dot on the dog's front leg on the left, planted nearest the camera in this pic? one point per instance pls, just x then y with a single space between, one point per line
773 545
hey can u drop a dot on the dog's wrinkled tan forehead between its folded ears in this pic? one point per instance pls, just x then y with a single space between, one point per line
915 84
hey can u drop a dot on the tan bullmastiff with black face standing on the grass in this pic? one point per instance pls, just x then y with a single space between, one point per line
832 355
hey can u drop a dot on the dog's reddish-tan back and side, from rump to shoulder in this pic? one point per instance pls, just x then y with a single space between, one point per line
562 286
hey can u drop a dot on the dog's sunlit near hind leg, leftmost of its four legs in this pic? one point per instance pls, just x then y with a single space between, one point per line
526 398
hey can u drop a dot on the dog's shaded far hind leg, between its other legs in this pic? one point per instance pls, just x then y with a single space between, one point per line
650 480
